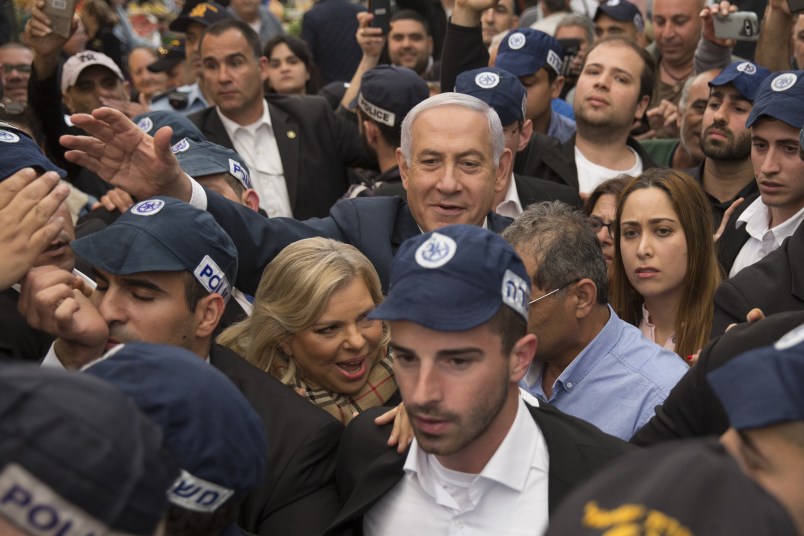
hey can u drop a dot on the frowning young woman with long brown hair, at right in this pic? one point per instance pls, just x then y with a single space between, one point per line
665 272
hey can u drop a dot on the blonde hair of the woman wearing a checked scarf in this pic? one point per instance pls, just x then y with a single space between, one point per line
293 293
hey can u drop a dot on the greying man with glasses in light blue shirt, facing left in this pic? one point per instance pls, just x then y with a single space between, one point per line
587 355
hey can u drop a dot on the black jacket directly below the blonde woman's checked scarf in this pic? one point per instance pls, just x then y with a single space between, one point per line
298 494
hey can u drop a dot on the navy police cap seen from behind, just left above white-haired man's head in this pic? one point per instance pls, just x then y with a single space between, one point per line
388 93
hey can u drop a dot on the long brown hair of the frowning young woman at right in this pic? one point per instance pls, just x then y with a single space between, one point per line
695 311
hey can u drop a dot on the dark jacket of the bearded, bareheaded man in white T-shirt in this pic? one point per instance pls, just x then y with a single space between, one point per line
547 158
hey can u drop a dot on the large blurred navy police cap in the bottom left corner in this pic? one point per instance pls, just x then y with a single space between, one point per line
78 456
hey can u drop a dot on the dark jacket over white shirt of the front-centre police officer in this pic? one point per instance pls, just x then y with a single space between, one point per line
368 468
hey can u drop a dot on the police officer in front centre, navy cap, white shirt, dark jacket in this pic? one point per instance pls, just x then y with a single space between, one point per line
484 456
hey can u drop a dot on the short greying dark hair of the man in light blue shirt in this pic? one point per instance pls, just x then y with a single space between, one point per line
566 248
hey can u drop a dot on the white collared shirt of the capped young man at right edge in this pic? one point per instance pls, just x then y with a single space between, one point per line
761 239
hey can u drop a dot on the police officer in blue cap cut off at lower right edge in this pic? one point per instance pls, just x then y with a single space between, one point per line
762 394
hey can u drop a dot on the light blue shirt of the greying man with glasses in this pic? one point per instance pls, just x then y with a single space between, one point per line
615 382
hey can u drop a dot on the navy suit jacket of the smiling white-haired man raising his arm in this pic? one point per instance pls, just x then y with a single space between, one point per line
377 226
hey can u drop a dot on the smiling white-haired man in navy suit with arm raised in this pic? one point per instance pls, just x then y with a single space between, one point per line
452 161
